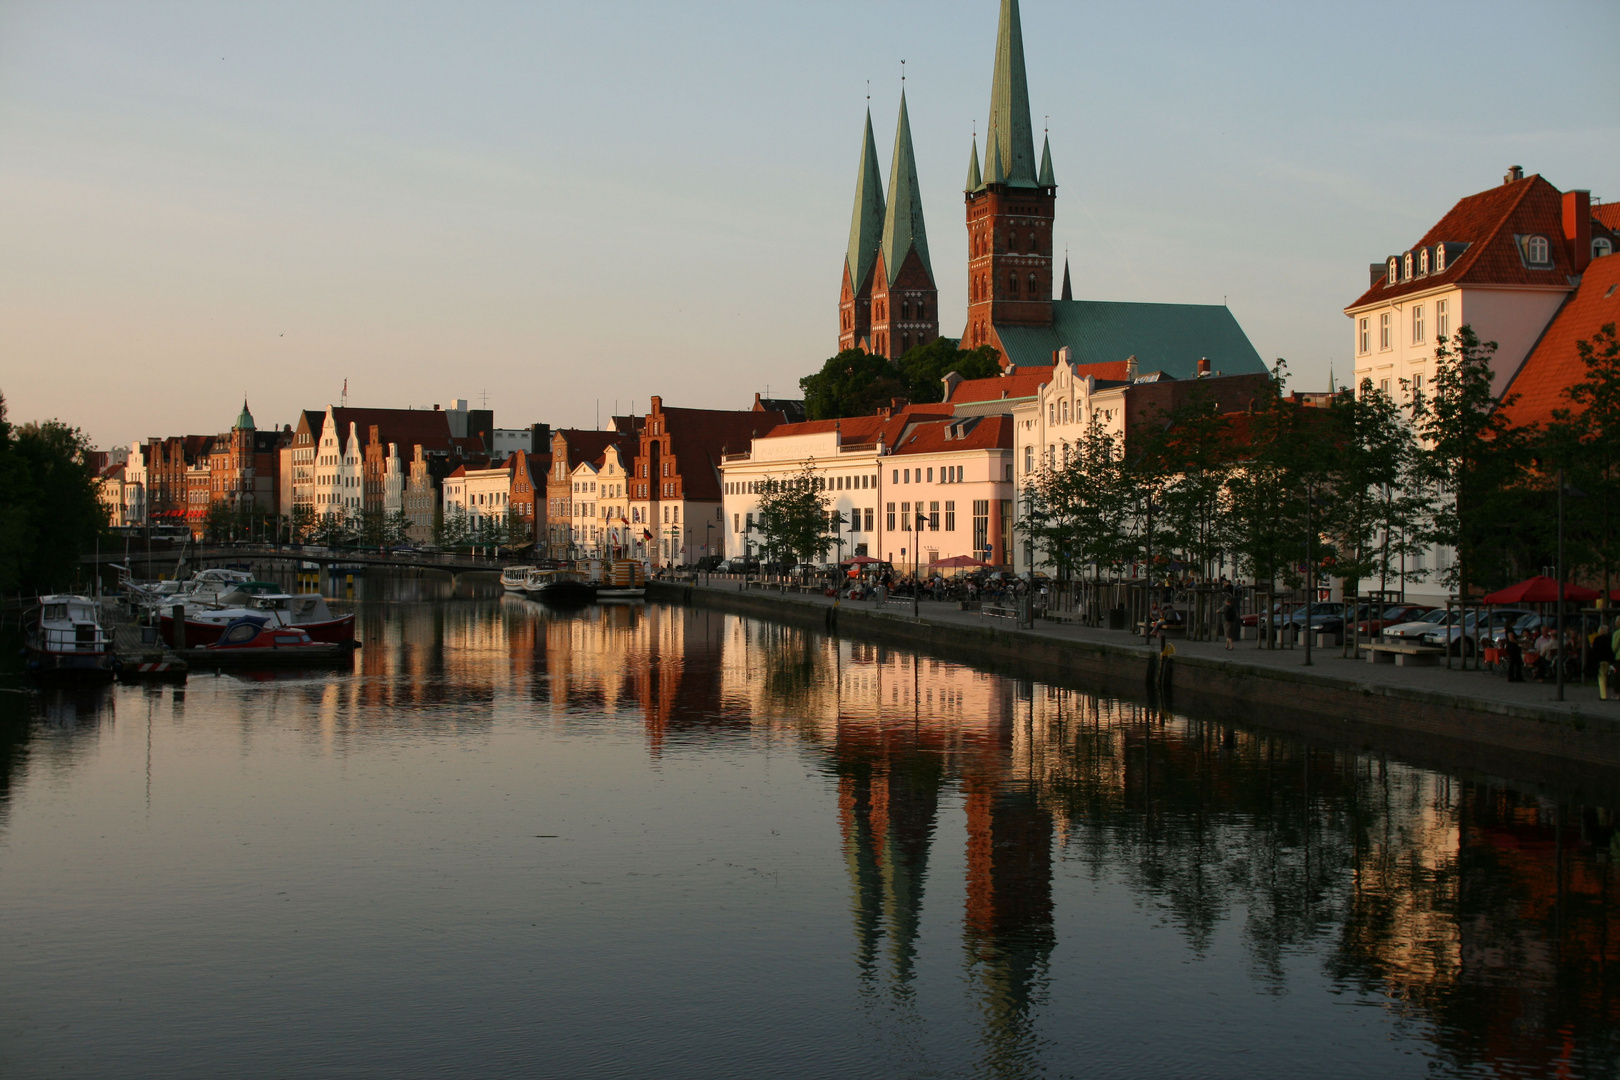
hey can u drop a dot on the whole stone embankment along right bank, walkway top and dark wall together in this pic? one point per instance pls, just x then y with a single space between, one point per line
1470 720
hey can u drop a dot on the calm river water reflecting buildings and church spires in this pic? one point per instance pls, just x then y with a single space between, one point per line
667 843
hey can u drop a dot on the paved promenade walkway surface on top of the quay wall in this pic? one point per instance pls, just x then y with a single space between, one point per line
1481 691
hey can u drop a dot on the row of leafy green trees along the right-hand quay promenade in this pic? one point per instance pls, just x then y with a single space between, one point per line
1355 490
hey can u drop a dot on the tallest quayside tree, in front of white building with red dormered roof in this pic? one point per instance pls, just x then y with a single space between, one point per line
1475 464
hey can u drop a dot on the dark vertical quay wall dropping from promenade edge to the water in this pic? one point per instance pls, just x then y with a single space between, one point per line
1506 739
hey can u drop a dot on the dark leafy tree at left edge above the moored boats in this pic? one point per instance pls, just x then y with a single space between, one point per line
49 508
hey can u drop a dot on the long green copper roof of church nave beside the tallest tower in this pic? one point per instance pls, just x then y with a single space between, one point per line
1162 338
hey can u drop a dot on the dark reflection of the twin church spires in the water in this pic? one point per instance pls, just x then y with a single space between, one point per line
889 802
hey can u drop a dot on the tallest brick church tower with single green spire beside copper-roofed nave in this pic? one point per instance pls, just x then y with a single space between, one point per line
1010 206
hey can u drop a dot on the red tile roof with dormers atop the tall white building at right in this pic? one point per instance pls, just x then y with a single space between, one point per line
1488 224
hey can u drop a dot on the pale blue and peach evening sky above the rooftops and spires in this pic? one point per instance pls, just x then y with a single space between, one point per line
571 208
